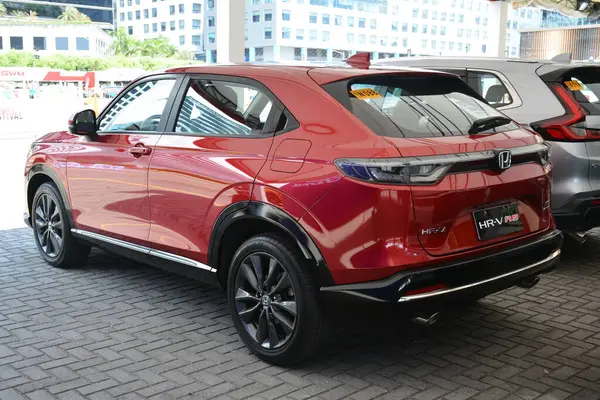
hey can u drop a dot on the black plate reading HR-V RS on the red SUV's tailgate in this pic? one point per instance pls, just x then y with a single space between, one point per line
498 221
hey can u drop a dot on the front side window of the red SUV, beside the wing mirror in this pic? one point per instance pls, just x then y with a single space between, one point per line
140 109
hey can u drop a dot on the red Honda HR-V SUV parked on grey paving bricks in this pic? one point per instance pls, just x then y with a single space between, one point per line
284 184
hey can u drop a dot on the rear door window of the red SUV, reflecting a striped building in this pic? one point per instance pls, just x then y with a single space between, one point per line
217 107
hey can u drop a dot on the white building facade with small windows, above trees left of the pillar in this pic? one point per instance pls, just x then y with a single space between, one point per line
181 21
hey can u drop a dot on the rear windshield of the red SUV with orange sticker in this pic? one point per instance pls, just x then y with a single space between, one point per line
414 107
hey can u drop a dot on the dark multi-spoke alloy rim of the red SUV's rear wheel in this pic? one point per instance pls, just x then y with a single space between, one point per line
265 300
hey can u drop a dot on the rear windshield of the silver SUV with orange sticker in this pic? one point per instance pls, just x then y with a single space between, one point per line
585 86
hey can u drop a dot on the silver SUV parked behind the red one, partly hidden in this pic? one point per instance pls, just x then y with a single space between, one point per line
561 102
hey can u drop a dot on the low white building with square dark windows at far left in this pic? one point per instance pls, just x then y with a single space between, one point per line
84 40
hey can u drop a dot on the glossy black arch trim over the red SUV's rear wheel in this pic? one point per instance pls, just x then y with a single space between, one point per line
240 221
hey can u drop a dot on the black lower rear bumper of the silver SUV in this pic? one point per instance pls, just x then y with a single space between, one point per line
582 213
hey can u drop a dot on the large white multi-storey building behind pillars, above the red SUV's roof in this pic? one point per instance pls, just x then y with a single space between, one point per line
334 29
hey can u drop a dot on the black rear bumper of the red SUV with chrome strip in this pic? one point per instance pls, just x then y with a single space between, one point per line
469 278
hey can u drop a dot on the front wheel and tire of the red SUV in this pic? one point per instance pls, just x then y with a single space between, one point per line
50 222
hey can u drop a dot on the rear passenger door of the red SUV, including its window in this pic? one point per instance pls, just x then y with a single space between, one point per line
220 135
